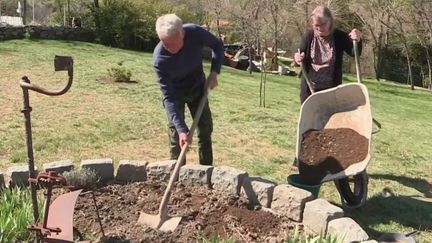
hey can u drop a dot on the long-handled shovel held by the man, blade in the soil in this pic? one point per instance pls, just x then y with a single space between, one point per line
161 220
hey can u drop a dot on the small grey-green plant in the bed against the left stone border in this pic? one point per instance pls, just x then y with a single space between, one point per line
81 179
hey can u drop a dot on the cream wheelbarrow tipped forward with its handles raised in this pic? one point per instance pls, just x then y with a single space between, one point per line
344 106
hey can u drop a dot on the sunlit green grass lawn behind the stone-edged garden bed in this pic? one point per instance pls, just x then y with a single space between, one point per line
100 119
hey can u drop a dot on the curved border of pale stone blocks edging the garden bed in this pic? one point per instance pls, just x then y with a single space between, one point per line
316 215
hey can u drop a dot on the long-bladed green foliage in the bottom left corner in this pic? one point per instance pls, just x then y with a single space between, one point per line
16 213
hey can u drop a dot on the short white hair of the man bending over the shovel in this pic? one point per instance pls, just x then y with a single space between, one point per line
168 25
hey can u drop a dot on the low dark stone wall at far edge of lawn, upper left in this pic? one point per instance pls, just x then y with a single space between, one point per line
47 32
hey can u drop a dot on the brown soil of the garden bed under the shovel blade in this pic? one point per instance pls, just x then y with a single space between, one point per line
206 214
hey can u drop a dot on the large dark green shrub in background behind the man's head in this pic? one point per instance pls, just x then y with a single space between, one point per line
131 24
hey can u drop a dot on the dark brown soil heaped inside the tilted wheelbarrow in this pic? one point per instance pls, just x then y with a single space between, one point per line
330 151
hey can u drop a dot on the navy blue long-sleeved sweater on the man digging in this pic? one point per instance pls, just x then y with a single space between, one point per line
182 72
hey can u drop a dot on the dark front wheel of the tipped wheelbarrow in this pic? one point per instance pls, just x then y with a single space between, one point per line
353 190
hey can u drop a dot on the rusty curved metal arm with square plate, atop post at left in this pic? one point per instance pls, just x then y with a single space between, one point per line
60 63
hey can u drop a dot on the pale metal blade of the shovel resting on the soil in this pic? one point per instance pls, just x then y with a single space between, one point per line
158 222
